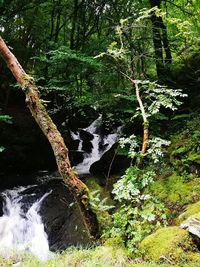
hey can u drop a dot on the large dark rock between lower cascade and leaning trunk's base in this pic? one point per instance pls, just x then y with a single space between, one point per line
62 219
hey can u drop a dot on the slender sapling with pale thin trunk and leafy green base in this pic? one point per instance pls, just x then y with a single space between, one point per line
140 212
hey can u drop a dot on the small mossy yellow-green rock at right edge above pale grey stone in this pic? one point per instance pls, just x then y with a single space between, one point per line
192 211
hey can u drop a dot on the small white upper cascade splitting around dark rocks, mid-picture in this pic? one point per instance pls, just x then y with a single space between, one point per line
106 143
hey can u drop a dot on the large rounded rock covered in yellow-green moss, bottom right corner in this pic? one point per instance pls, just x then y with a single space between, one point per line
170 243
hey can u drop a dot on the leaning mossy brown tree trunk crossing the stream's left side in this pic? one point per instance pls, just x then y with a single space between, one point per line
38 111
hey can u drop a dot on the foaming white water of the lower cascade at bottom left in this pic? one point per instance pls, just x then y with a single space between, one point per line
20 231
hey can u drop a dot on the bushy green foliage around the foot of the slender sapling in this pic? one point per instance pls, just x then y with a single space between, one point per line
140 212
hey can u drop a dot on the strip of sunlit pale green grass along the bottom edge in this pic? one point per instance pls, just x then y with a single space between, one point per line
102 256
